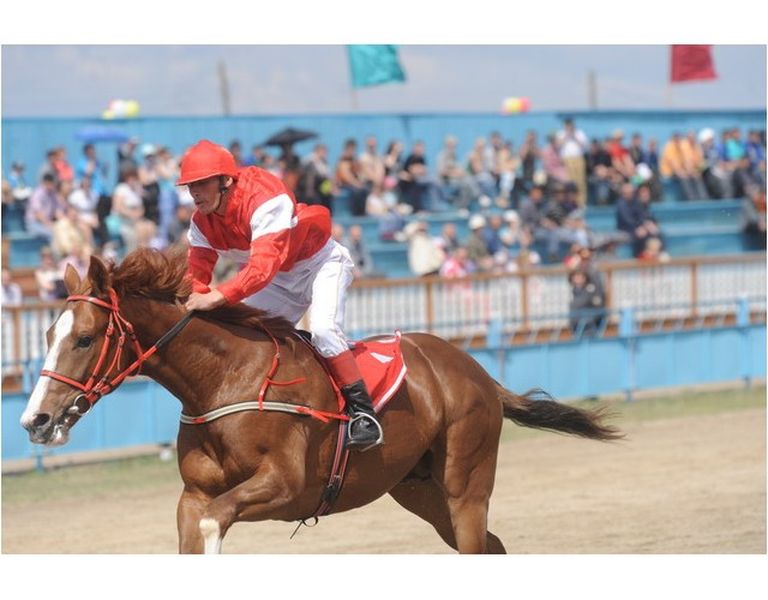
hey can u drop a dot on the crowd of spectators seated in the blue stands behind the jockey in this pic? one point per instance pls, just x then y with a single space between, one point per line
529 200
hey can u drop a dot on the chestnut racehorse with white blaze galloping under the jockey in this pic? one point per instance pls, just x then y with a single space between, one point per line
441 428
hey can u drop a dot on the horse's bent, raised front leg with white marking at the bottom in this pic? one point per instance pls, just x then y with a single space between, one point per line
253 500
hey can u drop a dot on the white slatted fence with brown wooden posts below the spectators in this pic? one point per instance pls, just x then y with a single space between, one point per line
462 308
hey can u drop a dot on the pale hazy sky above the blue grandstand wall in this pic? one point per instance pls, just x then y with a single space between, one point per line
177 80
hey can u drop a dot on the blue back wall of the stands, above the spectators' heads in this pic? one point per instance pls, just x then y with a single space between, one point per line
28 139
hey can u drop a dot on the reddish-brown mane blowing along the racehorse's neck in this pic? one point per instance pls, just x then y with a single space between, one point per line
163 276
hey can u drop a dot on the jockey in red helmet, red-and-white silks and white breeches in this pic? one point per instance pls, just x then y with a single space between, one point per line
288 259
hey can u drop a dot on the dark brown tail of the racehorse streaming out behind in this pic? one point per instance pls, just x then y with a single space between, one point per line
539 410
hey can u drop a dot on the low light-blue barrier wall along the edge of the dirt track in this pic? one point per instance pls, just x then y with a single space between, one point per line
143 412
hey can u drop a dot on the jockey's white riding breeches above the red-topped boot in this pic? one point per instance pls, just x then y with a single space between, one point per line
319 282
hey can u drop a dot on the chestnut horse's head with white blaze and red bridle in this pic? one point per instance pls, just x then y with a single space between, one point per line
75 343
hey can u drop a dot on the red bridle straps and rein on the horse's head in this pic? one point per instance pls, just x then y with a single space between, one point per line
120 328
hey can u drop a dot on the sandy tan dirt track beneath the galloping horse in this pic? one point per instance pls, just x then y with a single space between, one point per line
683 485
